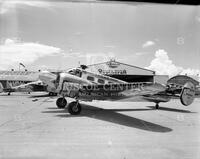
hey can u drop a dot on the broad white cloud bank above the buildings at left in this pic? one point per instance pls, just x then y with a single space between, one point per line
13 52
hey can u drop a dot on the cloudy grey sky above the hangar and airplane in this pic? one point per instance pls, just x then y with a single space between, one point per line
62 35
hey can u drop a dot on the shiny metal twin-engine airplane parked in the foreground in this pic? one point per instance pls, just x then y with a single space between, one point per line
86 86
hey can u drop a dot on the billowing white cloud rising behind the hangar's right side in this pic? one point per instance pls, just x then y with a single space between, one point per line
164 66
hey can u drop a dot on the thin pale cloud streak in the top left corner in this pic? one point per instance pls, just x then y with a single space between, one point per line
8 5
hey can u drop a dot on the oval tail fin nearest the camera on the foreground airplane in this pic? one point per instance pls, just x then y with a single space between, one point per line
187 94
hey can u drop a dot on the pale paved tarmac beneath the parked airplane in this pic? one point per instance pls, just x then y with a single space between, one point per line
32 127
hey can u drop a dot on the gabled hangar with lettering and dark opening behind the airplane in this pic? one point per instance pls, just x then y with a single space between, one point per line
126 72
